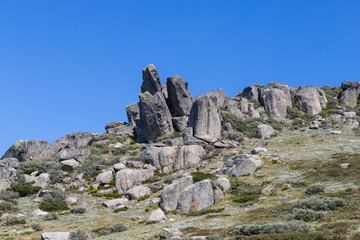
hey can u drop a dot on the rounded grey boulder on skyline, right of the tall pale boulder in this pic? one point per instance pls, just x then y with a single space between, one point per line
310 99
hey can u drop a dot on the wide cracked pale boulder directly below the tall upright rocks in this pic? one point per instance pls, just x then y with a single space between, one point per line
167 159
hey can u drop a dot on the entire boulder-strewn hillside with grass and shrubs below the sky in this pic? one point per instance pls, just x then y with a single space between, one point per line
273 162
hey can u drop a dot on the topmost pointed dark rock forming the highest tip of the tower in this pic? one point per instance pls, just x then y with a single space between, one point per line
151 80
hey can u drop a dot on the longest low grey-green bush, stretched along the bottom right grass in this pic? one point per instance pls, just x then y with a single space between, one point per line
279 227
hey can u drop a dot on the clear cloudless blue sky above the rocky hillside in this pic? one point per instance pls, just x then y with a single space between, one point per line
68 66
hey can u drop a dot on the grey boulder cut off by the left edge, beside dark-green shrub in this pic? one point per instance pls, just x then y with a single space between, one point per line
8 172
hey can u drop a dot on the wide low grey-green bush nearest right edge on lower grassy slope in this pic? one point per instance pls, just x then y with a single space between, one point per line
317 203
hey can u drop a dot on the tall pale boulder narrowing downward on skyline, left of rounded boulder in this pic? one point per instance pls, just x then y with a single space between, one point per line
276 98
